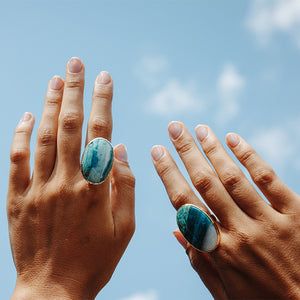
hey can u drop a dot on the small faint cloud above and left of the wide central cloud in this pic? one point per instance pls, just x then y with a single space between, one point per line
150 70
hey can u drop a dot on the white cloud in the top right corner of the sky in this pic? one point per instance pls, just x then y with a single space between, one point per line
269 16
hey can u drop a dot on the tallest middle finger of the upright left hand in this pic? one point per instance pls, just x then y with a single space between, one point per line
71 118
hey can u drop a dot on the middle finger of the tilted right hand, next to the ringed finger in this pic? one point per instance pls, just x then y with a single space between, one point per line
203 177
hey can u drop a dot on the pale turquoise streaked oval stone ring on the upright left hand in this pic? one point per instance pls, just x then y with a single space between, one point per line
97 160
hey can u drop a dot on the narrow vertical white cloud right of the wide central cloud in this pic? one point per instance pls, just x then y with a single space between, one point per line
229 85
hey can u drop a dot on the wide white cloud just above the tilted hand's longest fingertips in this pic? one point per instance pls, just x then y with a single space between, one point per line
174 98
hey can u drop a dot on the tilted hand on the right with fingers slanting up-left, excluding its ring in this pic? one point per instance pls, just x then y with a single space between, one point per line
258 256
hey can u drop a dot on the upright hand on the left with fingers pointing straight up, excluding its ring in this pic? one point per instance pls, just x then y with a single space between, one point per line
67 236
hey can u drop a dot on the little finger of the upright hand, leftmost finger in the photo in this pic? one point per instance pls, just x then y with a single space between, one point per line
19 175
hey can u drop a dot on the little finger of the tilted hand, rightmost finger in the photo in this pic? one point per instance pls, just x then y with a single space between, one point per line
278 193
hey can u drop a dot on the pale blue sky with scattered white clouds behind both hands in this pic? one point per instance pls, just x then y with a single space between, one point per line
234 65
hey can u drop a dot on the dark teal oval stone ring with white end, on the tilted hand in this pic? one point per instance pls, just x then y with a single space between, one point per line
198 228
